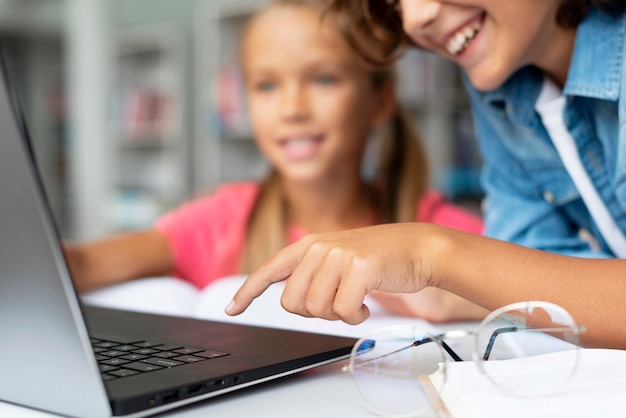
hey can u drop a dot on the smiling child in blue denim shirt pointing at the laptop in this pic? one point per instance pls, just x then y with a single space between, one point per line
545 79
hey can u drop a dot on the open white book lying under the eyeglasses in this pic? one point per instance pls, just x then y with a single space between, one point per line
596 390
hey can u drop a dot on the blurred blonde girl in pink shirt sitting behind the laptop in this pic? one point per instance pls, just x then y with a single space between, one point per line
313 105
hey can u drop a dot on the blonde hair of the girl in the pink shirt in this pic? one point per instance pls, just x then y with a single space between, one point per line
399 181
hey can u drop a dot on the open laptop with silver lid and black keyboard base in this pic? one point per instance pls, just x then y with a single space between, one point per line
59 356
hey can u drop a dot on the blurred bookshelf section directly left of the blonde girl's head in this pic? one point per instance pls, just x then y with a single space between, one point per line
223 137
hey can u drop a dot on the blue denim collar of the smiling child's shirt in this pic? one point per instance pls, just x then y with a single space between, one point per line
594 70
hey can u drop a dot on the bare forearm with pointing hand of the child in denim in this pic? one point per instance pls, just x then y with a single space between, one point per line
330 275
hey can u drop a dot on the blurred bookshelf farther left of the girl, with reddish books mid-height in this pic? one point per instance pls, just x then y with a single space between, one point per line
145 124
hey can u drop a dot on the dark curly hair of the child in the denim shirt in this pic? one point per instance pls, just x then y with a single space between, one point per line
374 27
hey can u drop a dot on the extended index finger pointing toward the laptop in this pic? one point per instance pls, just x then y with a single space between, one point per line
276 269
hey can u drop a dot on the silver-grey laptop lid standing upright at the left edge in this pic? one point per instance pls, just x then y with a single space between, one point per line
45 352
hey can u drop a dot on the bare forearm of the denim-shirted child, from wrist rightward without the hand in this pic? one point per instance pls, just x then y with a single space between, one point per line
493 273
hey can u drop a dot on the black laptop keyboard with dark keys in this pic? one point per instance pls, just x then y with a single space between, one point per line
117 360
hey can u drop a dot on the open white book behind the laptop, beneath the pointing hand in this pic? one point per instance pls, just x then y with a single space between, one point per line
170 296
